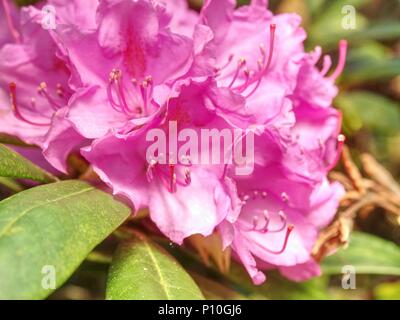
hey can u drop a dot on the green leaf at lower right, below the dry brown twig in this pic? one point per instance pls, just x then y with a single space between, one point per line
368 254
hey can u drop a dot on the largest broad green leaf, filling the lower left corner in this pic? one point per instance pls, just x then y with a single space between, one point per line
51 226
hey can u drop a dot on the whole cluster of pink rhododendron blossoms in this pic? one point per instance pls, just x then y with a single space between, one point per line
114 70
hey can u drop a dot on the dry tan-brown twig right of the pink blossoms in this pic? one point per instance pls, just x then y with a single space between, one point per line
363 194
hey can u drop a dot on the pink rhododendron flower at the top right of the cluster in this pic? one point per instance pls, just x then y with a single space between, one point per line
262 63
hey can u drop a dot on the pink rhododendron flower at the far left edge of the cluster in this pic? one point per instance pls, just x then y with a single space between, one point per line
35 110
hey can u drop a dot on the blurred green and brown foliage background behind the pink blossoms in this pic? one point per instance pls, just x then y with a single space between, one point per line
370 101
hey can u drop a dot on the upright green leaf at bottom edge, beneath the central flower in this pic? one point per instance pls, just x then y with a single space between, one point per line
142 270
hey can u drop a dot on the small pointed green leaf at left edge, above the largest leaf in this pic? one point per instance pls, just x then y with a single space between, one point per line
13 165
